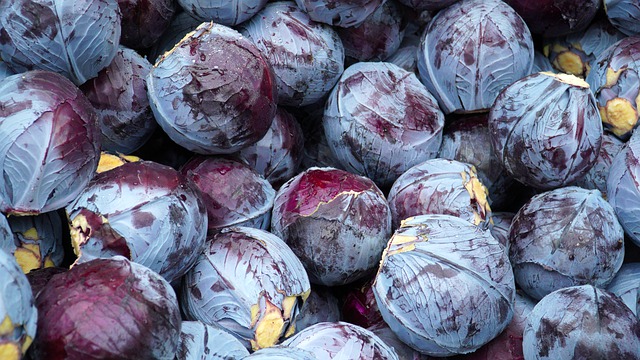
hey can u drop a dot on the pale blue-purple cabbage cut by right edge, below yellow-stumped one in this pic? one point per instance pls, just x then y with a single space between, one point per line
623 188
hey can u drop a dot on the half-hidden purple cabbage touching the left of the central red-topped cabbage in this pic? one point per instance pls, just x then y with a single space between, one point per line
234 193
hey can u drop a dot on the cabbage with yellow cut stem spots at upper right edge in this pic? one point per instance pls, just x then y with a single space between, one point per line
615 81
